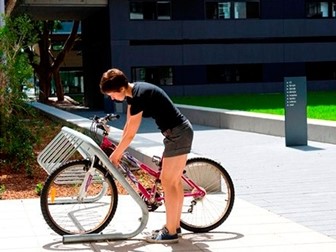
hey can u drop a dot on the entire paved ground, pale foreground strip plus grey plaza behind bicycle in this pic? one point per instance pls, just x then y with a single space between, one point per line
285 201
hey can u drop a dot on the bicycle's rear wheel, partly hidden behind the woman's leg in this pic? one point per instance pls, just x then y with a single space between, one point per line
200 215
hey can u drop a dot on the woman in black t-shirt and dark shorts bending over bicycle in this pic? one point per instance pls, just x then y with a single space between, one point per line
148 100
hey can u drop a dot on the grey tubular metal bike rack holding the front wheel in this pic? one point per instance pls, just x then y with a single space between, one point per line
60 149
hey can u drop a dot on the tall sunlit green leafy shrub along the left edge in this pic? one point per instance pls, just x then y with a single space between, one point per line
16 142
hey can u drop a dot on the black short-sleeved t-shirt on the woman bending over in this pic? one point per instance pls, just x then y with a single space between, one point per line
155 103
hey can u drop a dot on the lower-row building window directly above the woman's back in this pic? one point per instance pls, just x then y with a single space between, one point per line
155 75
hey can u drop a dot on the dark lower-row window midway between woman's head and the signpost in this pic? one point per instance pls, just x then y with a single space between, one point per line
234 73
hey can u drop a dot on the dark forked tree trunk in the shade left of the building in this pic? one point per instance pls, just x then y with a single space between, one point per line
47 65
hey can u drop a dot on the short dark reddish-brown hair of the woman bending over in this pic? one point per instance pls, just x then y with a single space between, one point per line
112 81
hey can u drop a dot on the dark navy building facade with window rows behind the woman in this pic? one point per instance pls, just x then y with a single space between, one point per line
207 47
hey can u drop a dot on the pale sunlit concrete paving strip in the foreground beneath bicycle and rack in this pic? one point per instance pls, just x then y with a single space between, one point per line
249 228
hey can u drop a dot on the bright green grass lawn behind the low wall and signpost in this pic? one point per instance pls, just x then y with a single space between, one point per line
320 105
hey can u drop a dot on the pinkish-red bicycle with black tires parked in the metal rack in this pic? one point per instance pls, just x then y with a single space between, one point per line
81 187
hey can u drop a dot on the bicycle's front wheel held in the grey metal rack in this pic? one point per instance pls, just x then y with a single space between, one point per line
64 213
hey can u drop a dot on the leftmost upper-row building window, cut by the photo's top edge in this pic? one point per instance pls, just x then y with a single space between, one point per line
150 10
